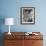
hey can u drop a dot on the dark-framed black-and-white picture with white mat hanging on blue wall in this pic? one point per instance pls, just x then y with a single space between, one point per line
27 15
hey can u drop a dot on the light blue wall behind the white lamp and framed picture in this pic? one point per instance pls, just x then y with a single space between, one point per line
11 8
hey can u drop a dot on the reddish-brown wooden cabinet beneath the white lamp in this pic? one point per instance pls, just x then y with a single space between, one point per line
20 39
